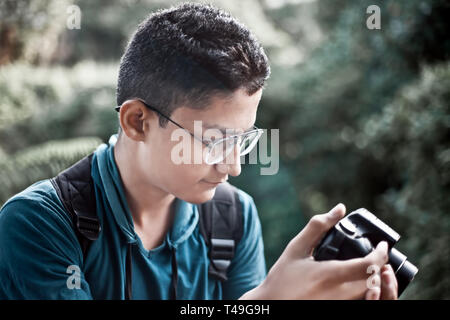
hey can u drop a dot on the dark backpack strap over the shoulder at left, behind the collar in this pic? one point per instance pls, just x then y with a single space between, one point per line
74 187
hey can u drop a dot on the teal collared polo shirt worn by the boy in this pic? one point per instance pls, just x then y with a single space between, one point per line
40 256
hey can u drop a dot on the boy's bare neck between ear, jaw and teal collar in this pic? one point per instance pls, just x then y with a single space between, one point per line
146 202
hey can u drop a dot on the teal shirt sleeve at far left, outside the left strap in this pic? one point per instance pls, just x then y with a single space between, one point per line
40 257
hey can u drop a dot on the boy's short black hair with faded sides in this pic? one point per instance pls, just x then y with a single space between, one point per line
188 53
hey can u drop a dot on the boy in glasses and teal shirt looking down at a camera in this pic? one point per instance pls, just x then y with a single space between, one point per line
186 65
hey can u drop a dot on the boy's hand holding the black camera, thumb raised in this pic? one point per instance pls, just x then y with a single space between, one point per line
296 275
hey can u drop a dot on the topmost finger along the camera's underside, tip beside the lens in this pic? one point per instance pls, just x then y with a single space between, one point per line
360 268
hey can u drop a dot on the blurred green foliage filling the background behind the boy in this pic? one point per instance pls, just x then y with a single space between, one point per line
363 114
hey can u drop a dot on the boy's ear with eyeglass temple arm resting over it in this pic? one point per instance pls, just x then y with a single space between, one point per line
135 119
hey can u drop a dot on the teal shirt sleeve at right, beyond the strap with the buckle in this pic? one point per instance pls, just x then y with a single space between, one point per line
248 268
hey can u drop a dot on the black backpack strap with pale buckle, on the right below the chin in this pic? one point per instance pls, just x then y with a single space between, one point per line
221 226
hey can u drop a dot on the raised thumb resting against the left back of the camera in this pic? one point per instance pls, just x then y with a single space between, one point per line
303 244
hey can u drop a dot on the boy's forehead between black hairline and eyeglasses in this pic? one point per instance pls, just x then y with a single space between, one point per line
236 112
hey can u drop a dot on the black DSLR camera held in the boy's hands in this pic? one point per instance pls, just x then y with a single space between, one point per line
356 235
